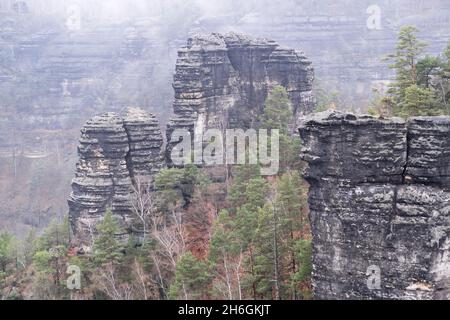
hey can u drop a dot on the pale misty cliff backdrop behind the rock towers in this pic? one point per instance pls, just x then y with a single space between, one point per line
61 62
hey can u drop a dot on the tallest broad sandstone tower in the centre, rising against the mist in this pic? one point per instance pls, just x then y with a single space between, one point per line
222 81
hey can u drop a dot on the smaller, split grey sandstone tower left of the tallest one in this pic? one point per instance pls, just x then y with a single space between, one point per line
113 151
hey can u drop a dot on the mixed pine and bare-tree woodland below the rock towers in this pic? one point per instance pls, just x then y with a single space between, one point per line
252 243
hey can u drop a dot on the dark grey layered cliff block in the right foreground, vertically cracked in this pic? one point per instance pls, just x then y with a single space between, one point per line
379 201
